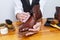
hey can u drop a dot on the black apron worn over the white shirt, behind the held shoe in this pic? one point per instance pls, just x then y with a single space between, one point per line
27 7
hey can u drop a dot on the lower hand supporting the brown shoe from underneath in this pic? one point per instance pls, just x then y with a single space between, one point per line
35 29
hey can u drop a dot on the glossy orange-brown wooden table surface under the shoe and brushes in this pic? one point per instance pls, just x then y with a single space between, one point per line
46 33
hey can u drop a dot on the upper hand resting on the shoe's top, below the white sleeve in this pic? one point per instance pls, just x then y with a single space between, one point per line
23 17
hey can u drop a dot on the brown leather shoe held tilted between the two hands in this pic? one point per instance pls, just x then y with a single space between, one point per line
23 29
